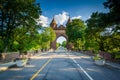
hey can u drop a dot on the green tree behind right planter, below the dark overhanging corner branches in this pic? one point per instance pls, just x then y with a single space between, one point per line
100 37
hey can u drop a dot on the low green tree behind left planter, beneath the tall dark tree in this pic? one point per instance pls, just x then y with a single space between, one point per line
24 40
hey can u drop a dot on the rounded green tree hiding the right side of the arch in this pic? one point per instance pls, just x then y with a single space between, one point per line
75 32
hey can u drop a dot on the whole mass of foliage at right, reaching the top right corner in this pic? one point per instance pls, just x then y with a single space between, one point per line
103 29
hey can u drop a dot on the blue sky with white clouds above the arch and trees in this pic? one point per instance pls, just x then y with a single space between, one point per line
61 10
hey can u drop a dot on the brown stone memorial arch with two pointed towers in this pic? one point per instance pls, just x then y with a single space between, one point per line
60 31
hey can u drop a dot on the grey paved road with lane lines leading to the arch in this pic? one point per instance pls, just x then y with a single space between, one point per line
61 65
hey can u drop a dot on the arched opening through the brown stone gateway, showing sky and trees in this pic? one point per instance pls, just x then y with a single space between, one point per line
61 42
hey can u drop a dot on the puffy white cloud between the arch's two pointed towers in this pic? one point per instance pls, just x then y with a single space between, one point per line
61 18
